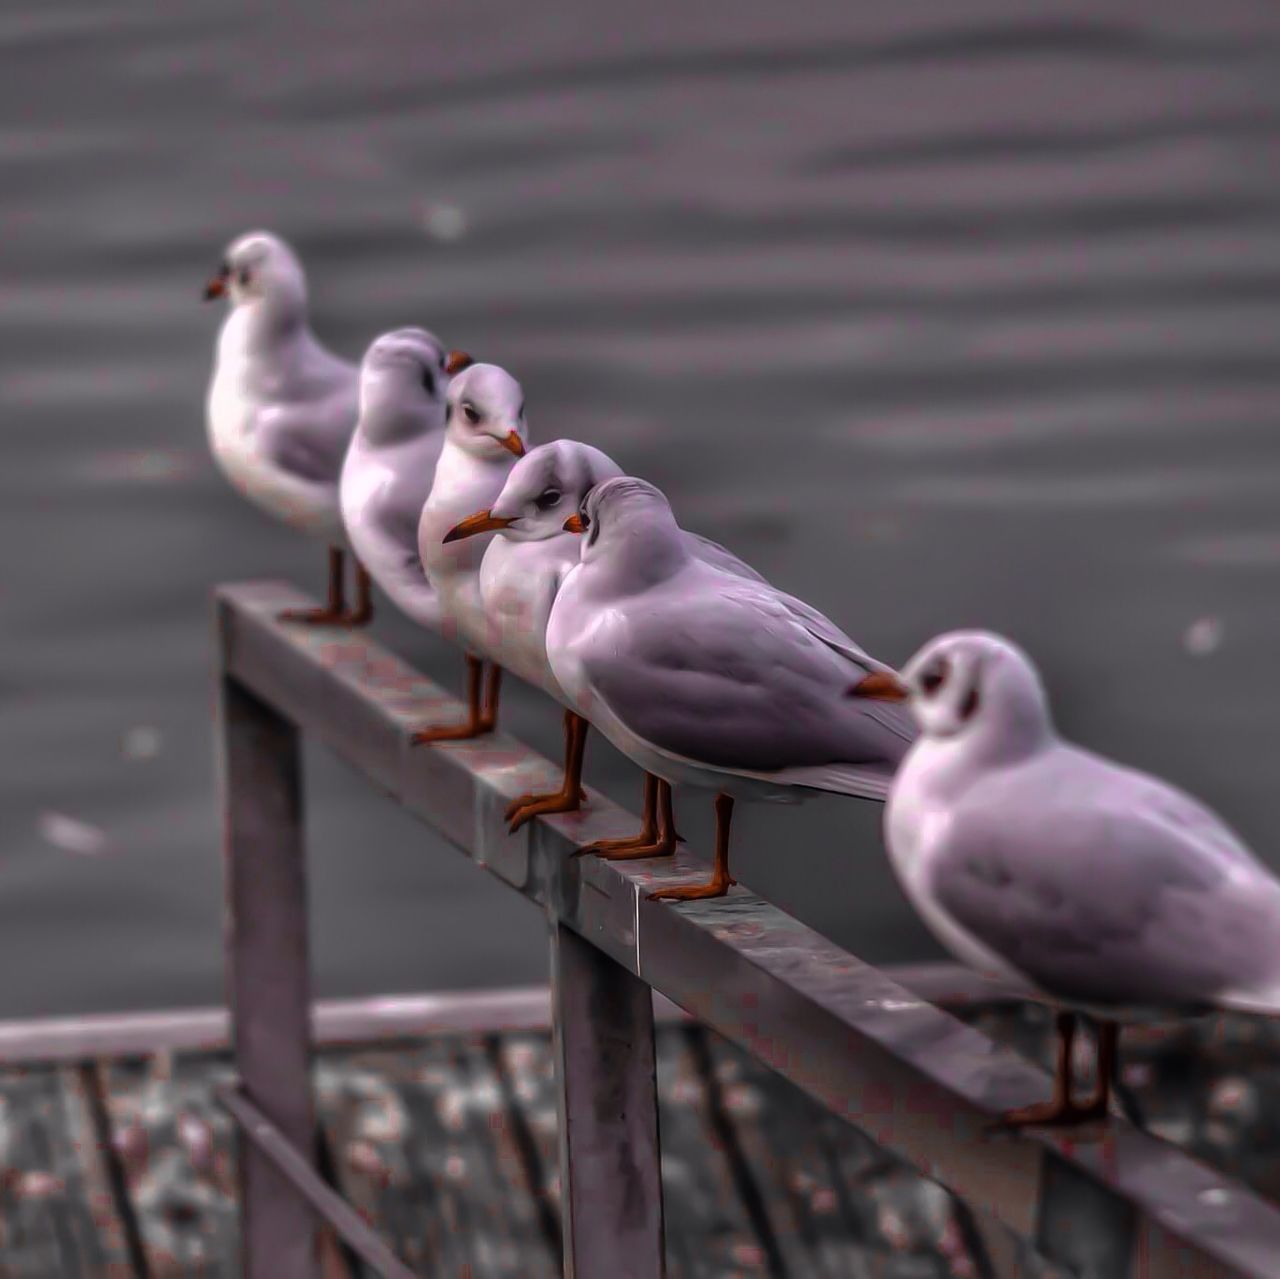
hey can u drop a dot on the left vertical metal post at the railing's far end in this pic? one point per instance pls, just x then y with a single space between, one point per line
267 971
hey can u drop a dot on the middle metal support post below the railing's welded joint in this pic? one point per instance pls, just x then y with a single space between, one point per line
611 1186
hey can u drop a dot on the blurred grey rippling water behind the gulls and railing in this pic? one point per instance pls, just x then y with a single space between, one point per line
940 314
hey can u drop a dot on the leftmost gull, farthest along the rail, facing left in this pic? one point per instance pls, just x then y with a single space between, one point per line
281 408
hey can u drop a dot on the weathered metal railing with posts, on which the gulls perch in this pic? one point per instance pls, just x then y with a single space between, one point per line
1103 1204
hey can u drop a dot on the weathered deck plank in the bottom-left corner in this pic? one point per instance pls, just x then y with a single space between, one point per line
57 1213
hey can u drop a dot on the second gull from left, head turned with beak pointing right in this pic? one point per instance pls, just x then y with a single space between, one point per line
391 464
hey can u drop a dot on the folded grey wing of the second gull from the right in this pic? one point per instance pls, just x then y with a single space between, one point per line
730 678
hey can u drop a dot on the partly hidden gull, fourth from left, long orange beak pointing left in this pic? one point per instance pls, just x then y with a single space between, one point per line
522 572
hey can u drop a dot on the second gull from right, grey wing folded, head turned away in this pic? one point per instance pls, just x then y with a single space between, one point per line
710 679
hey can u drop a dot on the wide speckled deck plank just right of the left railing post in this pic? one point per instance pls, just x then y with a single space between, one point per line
422 1146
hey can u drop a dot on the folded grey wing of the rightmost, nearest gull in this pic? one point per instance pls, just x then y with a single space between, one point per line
1105 894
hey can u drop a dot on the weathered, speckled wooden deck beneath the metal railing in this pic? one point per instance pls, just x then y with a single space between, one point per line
449 1146
